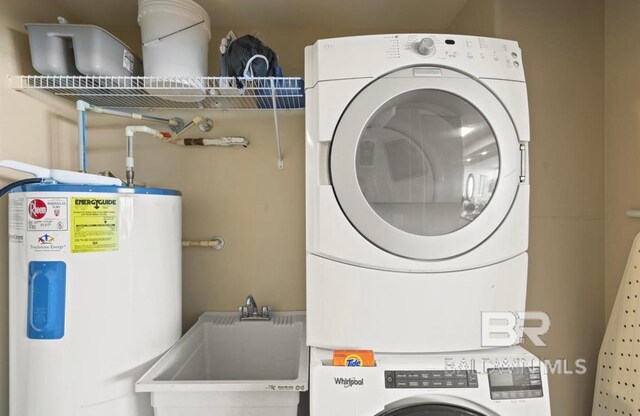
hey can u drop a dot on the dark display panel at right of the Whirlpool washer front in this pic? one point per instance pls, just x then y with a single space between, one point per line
515 383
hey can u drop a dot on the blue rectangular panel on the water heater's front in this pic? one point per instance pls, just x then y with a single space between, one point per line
47 293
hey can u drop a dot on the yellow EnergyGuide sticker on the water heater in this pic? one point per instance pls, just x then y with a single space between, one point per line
94 225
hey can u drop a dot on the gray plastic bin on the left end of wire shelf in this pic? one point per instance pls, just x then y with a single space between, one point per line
63 49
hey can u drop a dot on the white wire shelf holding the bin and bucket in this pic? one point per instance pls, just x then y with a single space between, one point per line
170 93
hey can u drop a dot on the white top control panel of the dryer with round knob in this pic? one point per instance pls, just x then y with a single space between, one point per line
376 55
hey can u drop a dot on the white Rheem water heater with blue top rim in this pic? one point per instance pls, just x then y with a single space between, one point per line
95 296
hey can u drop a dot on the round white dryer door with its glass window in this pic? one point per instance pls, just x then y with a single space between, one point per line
425 163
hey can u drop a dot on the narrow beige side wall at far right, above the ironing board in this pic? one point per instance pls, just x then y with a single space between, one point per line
622 137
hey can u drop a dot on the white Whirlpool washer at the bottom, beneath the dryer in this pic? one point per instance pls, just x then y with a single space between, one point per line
497 382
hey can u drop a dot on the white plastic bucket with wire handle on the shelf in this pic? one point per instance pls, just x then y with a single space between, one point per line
175 38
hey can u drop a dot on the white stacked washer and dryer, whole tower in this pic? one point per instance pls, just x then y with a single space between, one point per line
417 199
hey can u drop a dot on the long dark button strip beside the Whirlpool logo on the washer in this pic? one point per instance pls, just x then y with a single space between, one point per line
430 379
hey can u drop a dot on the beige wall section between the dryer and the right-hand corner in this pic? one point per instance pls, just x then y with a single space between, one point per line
562 44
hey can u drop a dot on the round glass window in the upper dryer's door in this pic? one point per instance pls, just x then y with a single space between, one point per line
427 162
